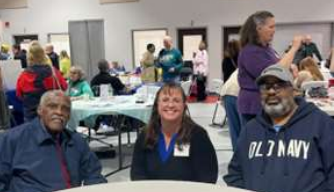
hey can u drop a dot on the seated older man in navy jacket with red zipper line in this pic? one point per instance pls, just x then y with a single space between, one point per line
43 156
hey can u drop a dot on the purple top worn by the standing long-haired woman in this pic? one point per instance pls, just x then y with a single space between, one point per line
253 59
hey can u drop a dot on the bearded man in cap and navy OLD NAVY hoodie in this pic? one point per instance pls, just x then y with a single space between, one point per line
286 148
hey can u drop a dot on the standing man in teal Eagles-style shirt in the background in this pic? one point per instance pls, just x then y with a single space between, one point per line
170 60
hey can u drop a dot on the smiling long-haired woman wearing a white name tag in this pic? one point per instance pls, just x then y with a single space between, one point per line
173 147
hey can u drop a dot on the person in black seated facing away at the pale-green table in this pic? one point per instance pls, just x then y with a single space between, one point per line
105 78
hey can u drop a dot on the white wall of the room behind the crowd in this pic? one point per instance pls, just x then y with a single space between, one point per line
46 16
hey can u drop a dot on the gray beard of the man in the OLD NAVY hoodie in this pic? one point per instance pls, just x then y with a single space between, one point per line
277 110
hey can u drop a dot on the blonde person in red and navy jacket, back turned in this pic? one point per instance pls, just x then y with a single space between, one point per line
36 79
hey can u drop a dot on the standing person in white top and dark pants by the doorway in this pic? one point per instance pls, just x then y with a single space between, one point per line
200 65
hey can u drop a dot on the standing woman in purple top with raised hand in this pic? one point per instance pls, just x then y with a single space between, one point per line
256 54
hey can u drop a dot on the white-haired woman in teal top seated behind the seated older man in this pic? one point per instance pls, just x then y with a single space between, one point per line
78 87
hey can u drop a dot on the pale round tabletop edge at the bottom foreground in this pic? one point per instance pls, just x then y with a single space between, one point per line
155 186
